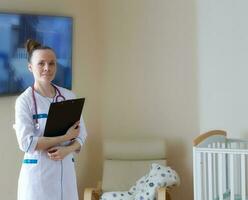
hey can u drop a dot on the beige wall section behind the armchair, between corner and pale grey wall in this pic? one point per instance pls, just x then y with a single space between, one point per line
149 72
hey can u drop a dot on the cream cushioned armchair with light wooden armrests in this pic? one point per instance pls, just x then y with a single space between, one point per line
125 161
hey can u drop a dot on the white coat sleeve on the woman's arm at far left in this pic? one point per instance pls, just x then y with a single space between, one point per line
24 126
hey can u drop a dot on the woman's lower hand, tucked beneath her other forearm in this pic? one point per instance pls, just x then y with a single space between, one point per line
58 153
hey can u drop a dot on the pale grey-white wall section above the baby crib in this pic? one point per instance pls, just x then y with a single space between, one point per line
223 50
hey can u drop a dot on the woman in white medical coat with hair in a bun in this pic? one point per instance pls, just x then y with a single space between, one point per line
47 171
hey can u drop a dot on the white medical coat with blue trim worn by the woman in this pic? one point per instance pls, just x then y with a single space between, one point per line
40 177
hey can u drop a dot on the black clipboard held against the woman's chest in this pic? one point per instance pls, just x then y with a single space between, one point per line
62 115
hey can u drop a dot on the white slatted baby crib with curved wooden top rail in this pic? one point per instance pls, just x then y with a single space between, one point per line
220 167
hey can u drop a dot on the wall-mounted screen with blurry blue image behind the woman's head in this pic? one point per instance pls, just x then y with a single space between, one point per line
52 31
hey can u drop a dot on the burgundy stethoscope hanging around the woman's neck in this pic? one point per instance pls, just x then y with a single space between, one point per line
58 97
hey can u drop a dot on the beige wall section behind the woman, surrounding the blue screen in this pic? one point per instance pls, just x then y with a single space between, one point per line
86 79
